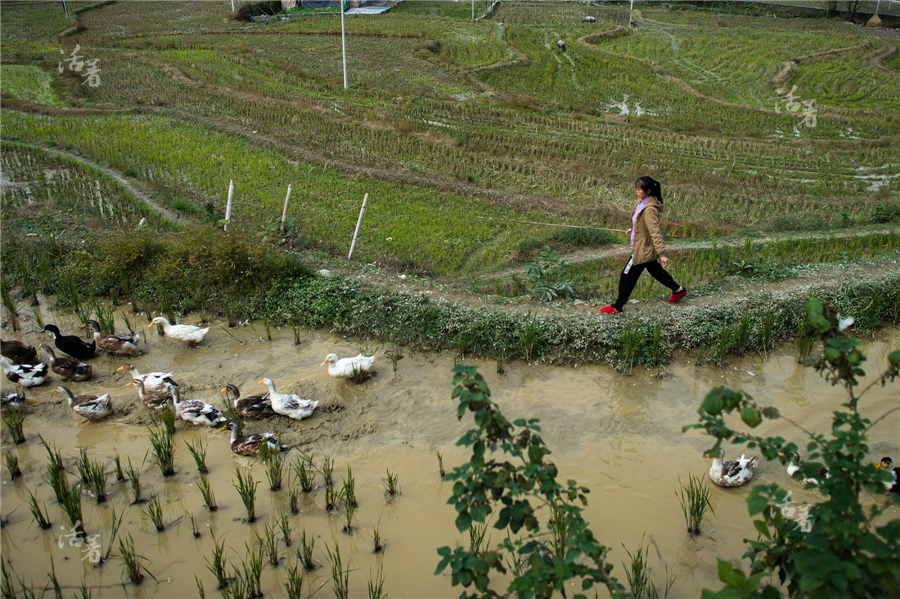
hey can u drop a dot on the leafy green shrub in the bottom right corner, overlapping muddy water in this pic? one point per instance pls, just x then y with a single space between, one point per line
832 548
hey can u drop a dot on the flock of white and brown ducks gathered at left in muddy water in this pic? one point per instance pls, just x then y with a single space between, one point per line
157 390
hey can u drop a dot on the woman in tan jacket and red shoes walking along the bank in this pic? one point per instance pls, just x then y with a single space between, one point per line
648 251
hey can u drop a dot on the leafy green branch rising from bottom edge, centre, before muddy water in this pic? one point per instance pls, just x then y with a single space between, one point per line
517 491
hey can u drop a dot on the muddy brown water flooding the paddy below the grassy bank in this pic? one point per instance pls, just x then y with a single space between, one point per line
620 436
